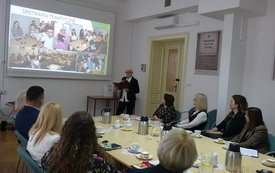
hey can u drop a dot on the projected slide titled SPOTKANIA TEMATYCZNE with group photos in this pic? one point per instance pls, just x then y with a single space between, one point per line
53 42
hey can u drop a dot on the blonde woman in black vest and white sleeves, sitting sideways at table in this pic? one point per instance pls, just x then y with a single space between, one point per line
197 119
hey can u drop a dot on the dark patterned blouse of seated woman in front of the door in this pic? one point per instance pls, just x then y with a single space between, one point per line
166 114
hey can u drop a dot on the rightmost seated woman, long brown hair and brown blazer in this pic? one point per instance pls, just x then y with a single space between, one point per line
254 134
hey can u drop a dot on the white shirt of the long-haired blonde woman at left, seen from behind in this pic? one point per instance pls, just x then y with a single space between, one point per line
38 151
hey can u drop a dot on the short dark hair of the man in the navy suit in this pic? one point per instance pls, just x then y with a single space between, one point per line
35 93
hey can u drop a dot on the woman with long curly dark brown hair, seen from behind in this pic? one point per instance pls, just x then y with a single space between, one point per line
77 148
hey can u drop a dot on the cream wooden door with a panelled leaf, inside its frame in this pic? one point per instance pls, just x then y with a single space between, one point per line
165 73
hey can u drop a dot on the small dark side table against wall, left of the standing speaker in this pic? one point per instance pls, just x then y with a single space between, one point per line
106 98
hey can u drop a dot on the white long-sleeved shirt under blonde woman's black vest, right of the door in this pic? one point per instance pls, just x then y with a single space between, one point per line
201 118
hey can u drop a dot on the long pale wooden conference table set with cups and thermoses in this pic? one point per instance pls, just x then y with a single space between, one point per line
150 144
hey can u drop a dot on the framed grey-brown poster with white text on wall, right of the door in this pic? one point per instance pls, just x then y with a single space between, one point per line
208 49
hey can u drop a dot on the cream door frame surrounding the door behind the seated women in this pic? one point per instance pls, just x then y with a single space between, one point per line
161 38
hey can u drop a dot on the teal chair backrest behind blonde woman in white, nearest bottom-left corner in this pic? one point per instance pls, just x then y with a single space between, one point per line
31 164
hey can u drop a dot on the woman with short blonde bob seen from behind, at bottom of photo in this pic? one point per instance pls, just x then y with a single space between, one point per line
176 152
